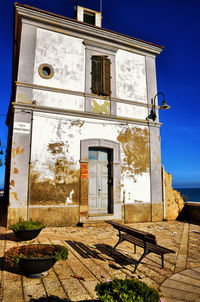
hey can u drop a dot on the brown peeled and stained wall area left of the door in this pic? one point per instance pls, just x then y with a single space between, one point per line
62 187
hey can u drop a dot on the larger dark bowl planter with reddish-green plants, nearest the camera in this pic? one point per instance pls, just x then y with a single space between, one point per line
34 259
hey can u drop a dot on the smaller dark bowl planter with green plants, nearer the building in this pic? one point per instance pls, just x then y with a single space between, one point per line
26 230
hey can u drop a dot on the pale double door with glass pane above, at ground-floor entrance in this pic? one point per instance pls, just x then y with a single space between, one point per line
98 172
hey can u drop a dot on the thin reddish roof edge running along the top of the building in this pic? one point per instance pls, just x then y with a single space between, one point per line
89 25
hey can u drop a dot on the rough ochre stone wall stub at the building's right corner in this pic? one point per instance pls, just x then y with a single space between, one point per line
174 202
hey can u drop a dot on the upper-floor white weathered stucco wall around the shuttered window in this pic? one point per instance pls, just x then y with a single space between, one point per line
66 55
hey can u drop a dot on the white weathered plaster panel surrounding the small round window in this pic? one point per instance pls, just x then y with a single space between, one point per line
65 54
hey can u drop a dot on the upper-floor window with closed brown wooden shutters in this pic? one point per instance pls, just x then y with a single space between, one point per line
101 75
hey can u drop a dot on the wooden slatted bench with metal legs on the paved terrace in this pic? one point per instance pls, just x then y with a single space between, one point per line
142 239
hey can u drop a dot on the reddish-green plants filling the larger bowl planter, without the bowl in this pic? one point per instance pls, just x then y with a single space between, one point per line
36 251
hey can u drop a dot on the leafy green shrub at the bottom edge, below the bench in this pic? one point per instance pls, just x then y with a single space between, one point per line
128 290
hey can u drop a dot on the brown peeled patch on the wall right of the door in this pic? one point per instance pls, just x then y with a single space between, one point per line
135 145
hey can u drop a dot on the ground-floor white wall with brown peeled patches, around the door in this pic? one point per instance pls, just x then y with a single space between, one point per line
55 169
